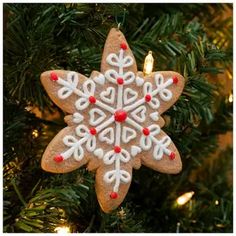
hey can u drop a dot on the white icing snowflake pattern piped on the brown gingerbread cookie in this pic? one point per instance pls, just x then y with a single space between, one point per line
125 99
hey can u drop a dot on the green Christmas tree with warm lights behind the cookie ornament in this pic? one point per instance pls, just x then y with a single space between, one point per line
192 39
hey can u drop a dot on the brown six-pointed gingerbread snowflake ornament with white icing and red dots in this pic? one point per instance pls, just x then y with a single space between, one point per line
114 121
